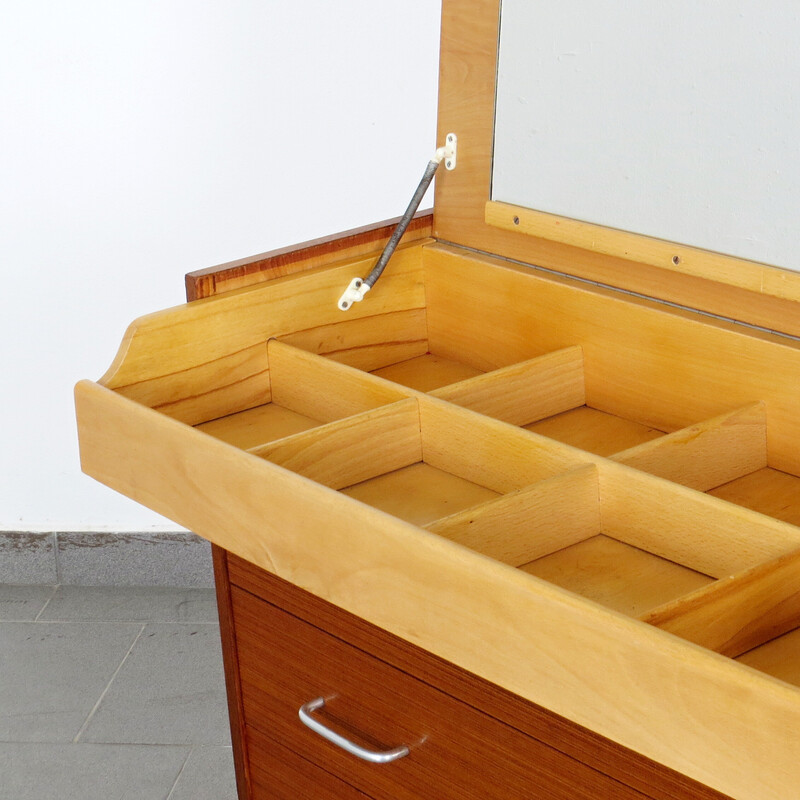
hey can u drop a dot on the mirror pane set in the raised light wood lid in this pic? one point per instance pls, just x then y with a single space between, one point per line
678 120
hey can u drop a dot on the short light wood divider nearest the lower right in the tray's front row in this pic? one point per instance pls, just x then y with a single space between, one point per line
738 613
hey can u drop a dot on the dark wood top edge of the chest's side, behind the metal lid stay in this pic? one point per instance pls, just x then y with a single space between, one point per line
297 258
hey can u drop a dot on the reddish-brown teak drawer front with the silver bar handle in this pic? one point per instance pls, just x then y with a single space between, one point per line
456 751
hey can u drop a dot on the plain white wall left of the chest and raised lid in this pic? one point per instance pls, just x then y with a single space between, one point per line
141 140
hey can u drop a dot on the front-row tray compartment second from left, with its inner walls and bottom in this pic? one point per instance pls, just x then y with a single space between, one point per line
416 459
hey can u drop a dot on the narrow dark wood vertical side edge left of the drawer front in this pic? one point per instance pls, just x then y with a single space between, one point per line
230 658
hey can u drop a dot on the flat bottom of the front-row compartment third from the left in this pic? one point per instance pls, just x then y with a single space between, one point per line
616 575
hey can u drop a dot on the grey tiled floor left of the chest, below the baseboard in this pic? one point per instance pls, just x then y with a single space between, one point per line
112 692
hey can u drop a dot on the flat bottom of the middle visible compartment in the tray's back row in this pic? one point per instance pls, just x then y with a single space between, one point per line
595 431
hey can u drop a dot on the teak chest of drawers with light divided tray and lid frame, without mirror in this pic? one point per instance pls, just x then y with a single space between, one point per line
542 532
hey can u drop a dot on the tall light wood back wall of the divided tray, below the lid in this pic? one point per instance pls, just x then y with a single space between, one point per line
657 366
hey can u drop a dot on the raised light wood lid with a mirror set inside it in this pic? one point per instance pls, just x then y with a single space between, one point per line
651 147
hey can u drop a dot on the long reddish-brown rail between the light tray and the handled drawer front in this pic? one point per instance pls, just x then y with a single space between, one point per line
629 768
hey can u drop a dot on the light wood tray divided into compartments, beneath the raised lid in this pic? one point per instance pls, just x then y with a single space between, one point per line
302 441
